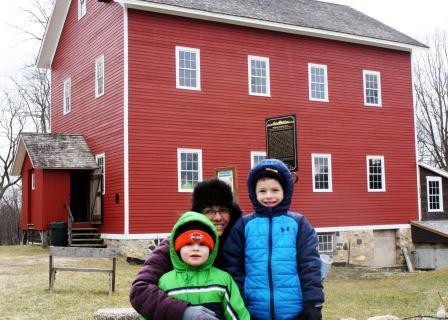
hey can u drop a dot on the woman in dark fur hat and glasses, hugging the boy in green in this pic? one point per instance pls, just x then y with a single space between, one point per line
214 199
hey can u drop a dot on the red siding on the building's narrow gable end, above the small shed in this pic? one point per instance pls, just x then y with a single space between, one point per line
100 120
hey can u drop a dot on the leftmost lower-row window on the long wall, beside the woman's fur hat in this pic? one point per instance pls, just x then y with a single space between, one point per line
189 168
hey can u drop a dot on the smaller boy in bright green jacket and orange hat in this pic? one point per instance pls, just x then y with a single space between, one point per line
194 279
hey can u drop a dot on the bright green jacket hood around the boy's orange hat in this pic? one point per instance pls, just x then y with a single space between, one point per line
189 217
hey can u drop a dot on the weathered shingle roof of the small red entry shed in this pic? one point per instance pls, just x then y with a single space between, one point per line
53 151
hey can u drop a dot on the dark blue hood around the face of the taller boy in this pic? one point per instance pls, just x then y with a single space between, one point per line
283 170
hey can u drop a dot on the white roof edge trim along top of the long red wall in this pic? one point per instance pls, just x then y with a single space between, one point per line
267 25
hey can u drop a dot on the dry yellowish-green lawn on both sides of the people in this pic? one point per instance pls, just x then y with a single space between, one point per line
356 293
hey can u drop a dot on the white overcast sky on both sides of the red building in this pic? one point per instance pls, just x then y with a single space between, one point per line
416 18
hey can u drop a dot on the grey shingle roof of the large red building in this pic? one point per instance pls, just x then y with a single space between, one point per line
301 13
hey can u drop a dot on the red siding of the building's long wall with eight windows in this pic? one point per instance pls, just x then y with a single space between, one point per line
226 123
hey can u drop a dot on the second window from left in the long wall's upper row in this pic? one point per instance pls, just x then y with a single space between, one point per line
259 83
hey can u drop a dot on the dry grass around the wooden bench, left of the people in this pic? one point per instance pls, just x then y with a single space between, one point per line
24 286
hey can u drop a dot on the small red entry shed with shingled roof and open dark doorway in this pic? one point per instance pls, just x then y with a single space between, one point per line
58 172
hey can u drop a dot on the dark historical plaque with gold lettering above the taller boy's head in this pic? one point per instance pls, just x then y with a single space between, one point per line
281 140
